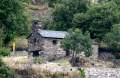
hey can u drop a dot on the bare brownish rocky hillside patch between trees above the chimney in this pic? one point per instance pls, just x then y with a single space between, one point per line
38 9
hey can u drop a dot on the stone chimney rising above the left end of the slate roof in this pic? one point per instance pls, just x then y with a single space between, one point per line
36 25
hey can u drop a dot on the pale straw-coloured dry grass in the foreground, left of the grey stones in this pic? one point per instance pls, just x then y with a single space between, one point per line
38 70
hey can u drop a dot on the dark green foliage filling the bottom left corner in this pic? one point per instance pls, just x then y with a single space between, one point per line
5 71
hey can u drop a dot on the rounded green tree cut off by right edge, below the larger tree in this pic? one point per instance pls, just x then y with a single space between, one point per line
112 39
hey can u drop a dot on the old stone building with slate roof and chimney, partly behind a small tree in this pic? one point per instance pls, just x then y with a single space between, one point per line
49 41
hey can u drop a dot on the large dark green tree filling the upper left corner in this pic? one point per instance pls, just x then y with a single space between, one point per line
13 19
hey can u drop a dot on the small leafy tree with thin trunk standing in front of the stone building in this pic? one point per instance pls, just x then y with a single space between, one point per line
76 42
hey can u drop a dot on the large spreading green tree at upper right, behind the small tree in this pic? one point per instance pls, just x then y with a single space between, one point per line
98 20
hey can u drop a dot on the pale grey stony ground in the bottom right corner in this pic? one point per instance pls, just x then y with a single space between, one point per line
102 72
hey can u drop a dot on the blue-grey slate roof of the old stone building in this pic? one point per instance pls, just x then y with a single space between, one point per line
52 34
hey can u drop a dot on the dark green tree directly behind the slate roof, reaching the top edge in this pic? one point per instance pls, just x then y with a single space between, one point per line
63 13
